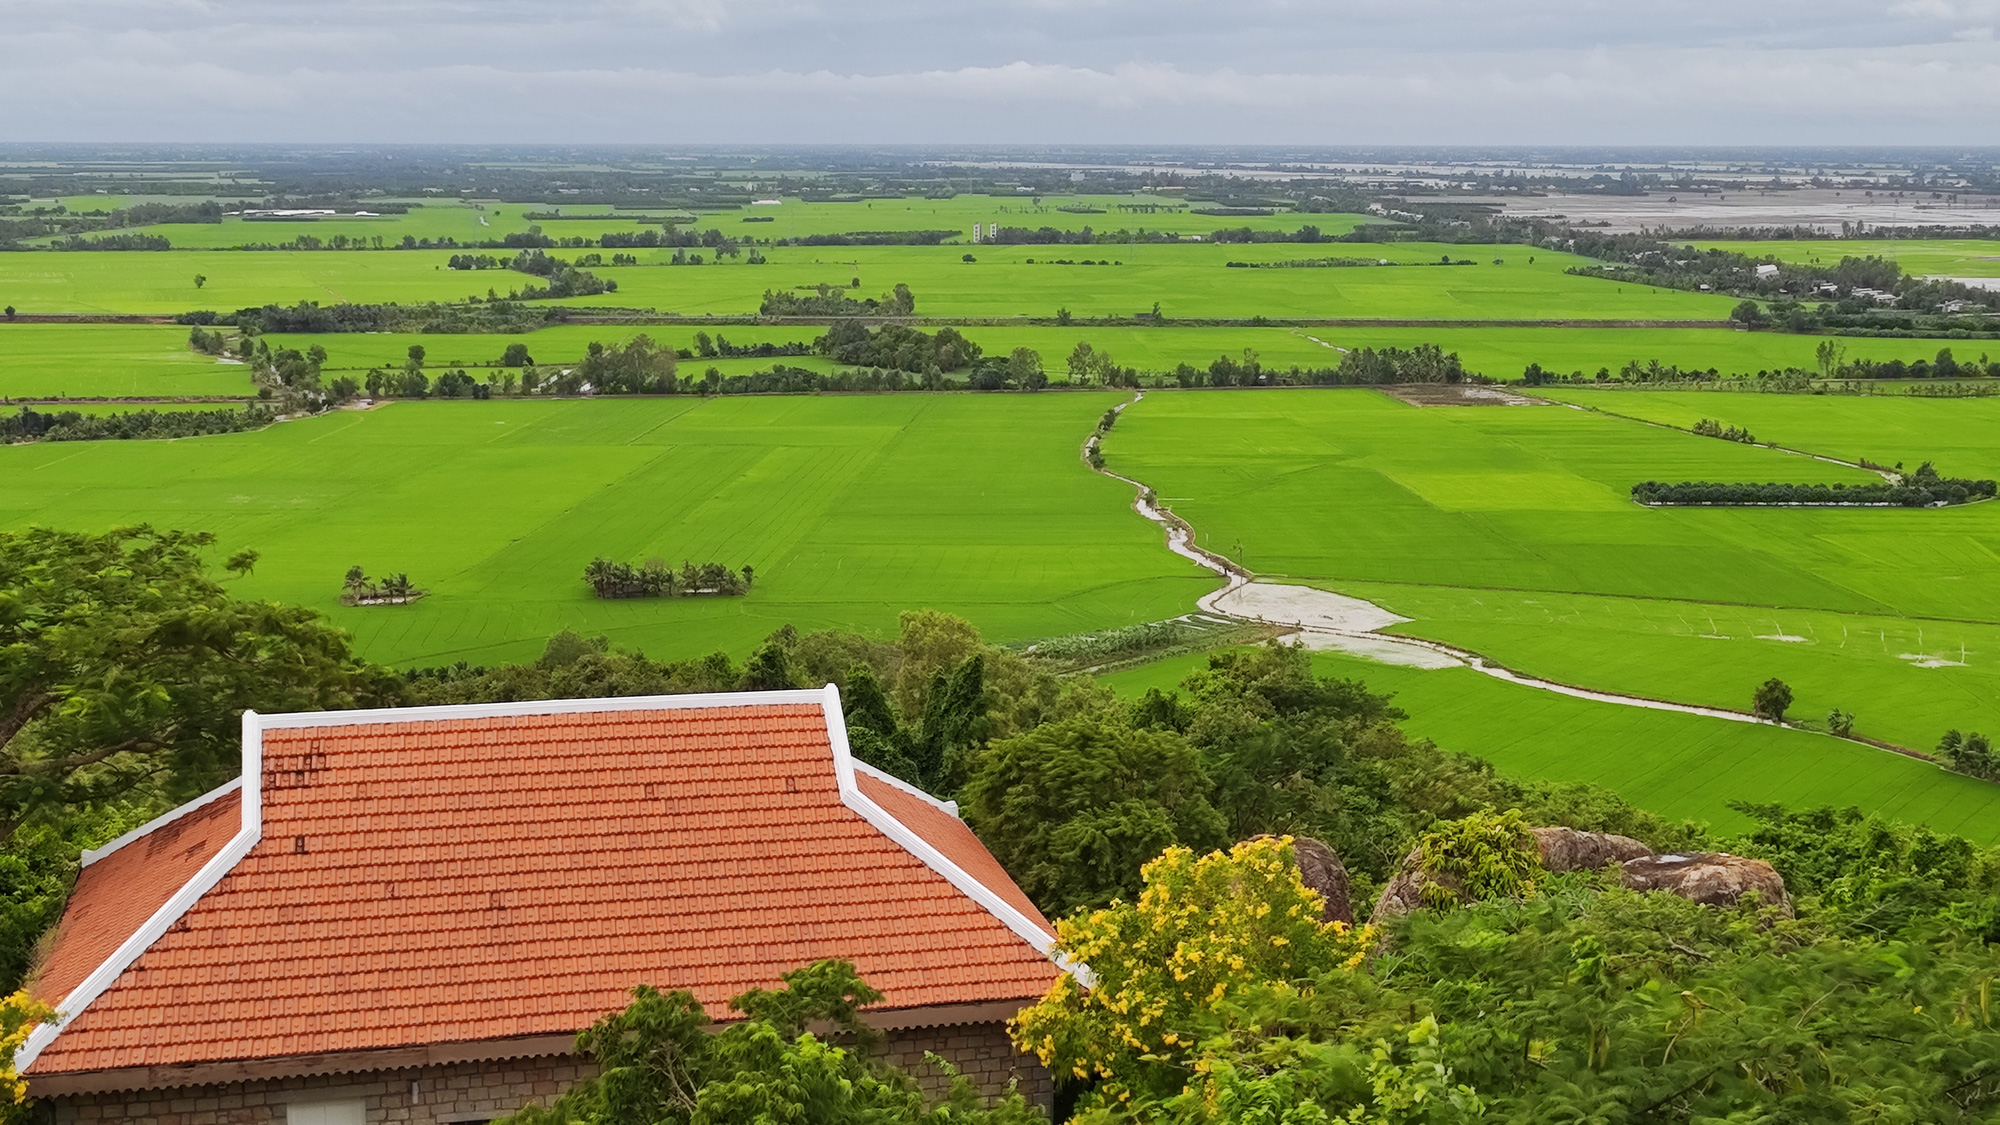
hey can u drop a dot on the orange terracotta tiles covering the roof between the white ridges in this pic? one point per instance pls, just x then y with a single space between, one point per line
517 876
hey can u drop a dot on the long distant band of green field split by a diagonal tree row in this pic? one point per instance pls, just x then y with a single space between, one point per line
1183 279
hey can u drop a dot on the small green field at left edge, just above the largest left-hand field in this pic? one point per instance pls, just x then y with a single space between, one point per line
105 361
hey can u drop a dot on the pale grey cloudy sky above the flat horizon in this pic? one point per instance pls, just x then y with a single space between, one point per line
1005 73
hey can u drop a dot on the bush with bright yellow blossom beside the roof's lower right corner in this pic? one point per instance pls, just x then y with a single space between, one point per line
1205 932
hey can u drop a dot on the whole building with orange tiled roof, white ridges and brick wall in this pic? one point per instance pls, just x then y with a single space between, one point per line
407 916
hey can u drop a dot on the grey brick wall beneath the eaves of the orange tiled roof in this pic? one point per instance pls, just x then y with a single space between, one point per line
477 1092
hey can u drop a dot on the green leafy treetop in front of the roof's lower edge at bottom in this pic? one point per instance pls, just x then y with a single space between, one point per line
799 1054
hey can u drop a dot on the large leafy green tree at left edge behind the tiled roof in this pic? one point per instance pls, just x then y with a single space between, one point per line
125 668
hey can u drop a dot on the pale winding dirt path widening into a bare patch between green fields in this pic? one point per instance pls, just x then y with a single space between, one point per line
1339 624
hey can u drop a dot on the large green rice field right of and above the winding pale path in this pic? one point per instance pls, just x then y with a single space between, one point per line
1509 531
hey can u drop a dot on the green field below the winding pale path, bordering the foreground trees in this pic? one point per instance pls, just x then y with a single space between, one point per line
1677 766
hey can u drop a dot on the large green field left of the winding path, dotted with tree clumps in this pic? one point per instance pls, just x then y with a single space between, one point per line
851 509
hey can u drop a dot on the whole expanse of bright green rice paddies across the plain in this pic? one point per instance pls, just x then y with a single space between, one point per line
1507 531
